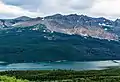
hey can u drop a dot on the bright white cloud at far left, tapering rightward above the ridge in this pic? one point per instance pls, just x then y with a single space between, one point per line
15 10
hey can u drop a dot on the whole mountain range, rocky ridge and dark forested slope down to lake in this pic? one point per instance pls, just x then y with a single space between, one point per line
59 37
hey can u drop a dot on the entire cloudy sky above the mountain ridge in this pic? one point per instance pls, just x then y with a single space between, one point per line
40 8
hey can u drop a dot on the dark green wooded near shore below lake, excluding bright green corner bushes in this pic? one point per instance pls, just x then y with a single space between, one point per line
107 75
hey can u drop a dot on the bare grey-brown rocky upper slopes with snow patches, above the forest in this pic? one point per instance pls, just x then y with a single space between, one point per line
70 24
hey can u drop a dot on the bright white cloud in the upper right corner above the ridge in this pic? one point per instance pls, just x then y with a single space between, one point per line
107 8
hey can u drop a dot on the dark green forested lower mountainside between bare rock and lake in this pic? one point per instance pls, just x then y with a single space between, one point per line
27 45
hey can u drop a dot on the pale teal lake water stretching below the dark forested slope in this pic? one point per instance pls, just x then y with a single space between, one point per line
91 65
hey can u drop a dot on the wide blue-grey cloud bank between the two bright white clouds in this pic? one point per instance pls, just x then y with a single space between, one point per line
48 7
